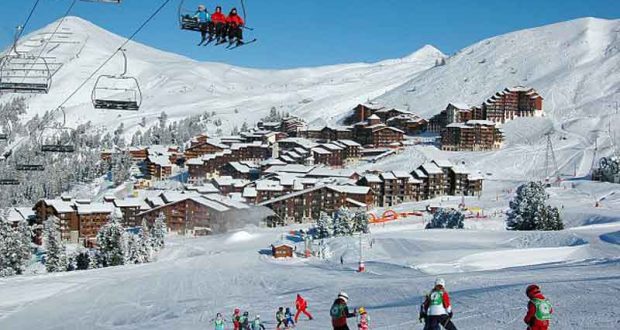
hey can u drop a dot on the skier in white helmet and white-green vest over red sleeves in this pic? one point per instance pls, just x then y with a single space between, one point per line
438 308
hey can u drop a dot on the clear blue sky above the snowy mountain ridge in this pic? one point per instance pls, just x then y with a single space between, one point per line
294 33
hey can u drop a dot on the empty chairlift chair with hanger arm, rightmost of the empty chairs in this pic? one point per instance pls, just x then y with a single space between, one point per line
117 92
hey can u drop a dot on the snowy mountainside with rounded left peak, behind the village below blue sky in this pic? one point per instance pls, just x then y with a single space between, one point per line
181 86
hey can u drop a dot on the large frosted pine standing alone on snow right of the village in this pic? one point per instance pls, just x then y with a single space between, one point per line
528 210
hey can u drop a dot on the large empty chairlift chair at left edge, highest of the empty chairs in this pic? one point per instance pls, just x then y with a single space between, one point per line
24 73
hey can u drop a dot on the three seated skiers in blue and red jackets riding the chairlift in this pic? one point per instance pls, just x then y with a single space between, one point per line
219 27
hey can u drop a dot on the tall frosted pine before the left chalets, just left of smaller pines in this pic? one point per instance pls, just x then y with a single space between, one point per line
111 243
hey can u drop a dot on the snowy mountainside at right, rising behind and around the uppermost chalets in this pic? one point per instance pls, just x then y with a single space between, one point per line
574 65
